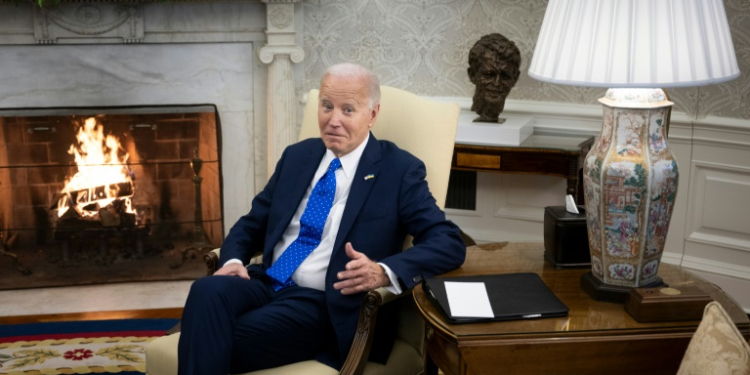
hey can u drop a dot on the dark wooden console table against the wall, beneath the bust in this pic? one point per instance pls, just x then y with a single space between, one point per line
541 153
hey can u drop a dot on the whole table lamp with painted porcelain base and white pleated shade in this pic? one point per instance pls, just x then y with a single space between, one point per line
635 48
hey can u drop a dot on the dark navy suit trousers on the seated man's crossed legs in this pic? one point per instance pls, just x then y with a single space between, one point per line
234 325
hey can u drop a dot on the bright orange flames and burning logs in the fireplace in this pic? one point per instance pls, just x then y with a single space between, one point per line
103 175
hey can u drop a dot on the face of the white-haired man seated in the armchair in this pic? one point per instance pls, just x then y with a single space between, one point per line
344 116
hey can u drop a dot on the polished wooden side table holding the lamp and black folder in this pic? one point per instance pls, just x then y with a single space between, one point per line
595 338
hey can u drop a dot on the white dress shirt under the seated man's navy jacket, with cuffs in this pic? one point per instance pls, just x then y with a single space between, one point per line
312 272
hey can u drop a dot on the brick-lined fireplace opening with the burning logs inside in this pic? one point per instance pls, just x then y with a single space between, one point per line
93 195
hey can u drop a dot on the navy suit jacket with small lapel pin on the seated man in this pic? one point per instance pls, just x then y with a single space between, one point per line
379 214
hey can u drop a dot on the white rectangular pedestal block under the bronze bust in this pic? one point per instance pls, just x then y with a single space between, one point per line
512 133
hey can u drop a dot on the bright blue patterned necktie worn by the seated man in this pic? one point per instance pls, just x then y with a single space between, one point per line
311 229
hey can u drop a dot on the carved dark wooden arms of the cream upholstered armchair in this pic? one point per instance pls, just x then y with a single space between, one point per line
360 349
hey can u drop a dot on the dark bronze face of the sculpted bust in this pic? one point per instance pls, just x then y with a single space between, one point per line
494 78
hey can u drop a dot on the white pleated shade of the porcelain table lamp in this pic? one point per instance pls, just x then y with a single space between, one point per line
634 43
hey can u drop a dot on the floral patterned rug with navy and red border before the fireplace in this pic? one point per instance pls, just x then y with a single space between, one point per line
103 347
